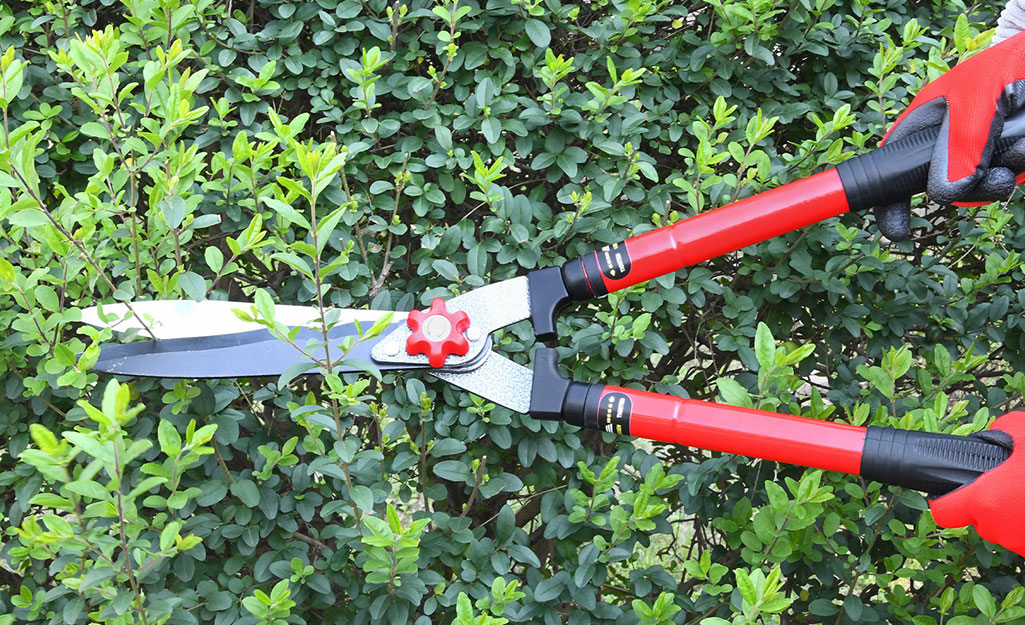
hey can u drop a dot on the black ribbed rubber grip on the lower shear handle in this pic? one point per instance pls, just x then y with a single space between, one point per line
926 462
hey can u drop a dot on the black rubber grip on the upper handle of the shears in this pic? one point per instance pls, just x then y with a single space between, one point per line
900 170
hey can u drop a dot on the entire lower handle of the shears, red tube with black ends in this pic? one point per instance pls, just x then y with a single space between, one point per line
931 463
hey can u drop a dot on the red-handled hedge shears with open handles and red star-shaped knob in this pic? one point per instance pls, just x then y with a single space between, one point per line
452 341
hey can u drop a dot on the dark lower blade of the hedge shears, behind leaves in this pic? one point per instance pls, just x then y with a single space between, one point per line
242 355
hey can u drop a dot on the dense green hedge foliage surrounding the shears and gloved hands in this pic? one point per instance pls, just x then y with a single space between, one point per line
161 149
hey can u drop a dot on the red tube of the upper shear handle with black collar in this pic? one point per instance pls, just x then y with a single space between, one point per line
707 236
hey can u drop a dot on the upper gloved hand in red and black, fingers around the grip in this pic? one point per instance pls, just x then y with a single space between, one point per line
969 104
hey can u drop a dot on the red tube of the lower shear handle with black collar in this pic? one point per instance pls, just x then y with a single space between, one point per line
757 434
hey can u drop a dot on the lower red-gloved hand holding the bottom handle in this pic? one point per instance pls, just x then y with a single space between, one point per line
994 503
